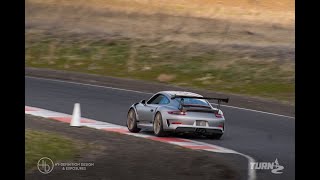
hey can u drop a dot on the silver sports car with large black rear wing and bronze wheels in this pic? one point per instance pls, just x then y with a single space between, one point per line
177 111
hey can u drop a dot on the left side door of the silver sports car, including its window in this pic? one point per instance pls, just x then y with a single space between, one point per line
147 111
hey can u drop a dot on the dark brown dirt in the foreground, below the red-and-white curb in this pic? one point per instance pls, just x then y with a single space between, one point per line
127 157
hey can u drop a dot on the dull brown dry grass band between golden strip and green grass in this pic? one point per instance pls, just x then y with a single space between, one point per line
229 36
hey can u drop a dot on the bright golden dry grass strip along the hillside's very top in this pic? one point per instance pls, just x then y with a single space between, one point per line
263 11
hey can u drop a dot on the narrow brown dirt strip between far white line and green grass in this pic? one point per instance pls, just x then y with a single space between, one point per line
138 85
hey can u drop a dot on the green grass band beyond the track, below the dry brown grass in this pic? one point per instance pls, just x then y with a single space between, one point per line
138 59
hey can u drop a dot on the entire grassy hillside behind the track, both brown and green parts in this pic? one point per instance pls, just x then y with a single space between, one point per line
225 56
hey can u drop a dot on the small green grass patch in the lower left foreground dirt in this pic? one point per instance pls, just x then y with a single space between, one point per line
40 144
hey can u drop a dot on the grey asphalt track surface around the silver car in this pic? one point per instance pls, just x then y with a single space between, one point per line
264 137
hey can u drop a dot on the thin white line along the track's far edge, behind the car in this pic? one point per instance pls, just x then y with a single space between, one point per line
141 92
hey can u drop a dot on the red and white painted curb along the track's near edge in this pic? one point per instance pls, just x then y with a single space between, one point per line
187 143
